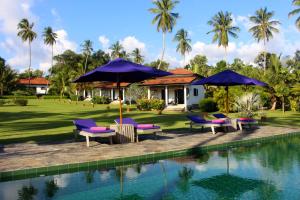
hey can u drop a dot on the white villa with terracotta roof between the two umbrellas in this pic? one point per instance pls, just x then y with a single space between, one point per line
176 89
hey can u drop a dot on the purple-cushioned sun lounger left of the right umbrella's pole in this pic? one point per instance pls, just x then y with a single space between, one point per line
199 121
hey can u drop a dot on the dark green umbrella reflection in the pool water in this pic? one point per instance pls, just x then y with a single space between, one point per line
229 186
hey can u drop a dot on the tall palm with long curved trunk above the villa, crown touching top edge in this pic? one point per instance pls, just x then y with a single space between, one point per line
165 19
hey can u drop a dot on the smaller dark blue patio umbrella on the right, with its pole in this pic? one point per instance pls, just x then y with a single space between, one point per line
228 78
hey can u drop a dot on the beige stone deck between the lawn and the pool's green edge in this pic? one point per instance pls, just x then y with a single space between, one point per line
28 155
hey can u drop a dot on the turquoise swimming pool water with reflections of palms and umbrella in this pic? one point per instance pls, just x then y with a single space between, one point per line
263 171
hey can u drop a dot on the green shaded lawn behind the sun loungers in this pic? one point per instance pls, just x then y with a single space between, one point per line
51 120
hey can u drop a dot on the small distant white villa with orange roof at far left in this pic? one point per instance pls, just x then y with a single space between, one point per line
40 84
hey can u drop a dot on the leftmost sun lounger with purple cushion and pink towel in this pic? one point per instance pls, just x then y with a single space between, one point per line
88 128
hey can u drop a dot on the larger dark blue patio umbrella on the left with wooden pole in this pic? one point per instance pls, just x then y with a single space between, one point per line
120 70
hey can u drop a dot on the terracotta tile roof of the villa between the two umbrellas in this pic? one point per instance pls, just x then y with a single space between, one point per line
180 76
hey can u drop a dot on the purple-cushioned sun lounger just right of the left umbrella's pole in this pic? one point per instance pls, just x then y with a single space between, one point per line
140 129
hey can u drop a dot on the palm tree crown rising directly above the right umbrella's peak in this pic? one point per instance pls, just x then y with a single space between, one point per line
222 24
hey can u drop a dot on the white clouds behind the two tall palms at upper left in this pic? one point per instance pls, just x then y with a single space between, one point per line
11 12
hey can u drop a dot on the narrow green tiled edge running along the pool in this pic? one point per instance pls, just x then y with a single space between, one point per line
121 161
